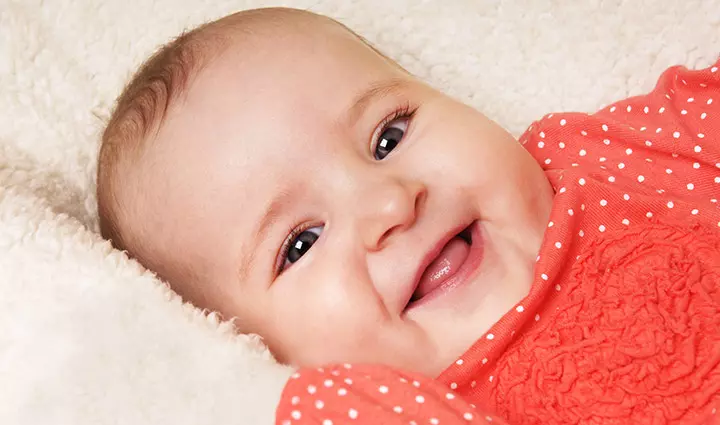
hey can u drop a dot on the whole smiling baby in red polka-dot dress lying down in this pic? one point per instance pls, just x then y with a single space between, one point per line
275 167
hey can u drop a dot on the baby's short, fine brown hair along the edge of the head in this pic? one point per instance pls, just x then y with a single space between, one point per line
155 88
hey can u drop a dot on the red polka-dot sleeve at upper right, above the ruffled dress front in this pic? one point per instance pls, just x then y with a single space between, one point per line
665 143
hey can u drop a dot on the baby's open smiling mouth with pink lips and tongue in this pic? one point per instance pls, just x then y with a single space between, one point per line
452 265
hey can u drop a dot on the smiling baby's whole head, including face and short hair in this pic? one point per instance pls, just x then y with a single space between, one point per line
276 168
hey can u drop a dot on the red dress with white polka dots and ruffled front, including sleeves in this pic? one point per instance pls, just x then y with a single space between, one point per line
622 323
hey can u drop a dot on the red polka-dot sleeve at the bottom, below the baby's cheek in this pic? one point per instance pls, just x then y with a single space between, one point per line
356 394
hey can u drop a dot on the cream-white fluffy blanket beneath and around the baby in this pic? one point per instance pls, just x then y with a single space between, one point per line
89 337
